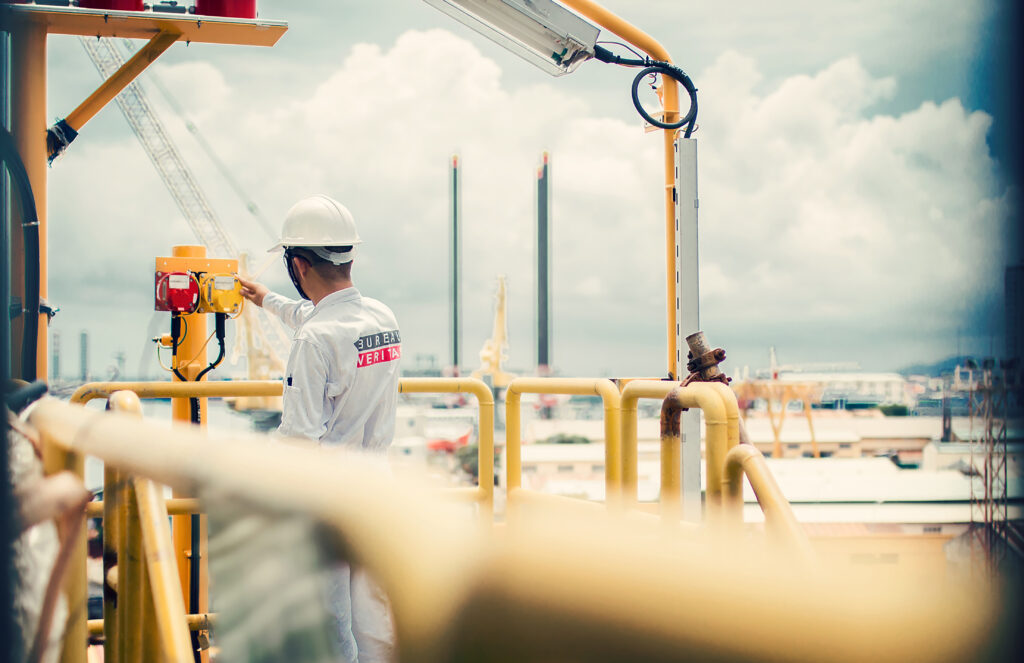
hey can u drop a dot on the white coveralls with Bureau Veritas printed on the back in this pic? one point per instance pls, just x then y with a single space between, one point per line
342 388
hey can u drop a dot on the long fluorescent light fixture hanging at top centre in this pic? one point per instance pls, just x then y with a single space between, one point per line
541 32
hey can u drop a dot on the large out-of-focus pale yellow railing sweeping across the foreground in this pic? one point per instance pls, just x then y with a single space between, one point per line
586 587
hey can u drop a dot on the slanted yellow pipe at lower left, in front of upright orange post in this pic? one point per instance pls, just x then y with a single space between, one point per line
168 606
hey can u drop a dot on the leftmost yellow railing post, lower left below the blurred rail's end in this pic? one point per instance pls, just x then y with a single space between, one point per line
57 461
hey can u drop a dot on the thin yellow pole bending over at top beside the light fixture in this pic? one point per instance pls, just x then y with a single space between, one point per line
649 45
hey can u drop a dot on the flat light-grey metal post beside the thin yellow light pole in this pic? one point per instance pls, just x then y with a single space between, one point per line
688 312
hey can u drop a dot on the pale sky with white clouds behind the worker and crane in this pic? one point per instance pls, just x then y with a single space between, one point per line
855 203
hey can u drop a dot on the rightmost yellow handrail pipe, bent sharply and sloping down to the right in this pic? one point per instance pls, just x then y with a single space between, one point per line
781 522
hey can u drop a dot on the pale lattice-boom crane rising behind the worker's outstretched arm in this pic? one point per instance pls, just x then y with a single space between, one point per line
260 338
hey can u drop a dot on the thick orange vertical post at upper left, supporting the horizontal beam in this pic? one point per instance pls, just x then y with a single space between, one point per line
29 125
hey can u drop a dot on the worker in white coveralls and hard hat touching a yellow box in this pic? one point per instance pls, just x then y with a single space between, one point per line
342 385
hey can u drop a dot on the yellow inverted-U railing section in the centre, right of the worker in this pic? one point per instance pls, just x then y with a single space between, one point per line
584 387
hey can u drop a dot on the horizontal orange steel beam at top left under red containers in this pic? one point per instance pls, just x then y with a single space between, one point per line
144 25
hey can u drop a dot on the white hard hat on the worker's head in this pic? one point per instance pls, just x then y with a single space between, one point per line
319 222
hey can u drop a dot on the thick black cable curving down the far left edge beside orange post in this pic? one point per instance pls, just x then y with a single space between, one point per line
30 229
